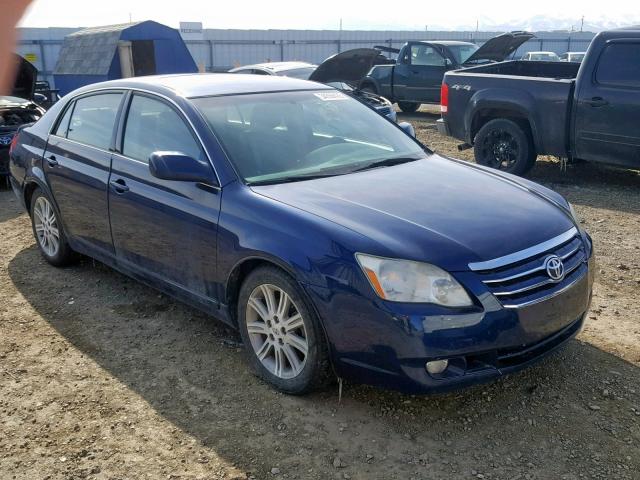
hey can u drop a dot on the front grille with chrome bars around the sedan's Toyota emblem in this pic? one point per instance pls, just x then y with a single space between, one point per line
518 280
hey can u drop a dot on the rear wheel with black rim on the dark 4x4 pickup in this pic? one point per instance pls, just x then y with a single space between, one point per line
506 146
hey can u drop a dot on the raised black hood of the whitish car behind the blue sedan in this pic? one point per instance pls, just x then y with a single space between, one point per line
349 66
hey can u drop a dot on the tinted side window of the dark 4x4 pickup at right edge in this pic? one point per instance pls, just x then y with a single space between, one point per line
619 65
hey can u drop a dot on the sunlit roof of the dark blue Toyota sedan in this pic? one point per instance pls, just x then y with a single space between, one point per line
208 84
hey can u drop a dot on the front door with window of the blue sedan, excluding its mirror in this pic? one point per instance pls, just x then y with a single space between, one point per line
164 230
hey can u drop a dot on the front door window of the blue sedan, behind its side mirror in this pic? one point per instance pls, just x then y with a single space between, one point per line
154 126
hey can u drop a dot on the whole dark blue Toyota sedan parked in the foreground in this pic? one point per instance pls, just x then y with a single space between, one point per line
336 243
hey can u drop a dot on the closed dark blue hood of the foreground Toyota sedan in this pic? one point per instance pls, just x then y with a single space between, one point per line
436 210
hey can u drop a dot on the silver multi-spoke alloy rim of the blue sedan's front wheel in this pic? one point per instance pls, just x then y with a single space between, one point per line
277 331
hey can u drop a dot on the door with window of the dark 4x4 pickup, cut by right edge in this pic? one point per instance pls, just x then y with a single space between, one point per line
608 107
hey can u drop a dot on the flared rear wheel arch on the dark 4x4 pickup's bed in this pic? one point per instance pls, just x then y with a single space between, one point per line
518 103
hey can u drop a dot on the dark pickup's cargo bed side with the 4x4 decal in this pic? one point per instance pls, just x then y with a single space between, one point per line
539 91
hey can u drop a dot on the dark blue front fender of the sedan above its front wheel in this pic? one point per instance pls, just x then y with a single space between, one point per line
313 250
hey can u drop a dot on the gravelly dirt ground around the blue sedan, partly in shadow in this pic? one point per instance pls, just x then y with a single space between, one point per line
103 378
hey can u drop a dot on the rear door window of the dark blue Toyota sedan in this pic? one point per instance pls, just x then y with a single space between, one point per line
93 119
